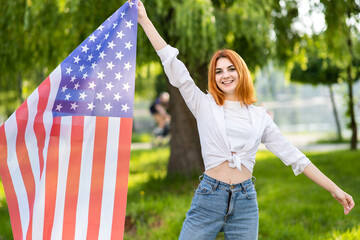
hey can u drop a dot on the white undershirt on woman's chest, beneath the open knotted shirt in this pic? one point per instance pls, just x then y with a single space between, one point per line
237 124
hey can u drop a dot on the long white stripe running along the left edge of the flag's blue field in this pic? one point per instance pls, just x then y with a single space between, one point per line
39 207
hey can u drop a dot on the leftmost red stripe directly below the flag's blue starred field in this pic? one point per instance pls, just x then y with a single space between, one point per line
51 178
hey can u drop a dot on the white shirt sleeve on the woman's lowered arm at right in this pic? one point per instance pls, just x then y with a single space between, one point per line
274 141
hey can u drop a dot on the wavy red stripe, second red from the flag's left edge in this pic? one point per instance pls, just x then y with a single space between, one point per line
22 154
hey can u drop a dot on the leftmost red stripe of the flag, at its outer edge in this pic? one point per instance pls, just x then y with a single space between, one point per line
11 198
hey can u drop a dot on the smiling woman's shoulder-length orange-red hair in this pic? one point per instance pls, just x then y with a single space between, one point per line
245 89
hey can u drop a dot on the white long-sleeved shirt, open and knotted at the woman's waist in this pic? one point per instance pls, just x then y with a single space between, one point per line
215 147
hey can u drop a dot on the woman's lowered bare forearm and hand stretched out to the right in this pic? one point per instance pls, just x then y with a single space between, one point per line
313 173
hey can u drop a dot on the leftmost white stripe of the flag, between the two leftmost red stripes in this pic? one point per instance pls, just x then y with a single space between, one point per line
11 129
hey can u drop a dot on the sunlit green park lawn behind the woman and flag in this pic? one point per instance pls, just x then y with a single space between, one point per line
290 207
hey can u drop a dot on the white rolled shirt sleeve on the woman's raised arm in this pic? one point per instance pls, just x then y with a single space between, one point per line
180 78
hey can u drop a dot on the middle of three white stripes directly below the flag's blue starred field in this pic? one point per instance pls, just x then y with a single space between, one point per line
82 211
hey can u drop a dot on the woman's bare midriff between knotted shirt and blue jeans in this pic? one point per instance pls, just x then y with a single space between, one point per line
225 173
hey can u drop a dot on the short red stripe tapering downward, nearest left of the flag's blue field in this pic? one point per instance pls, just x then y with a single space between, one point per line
39 129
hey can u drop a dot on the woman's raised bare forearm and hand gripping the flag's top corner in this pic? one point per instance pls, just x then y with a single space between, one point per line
156 40
